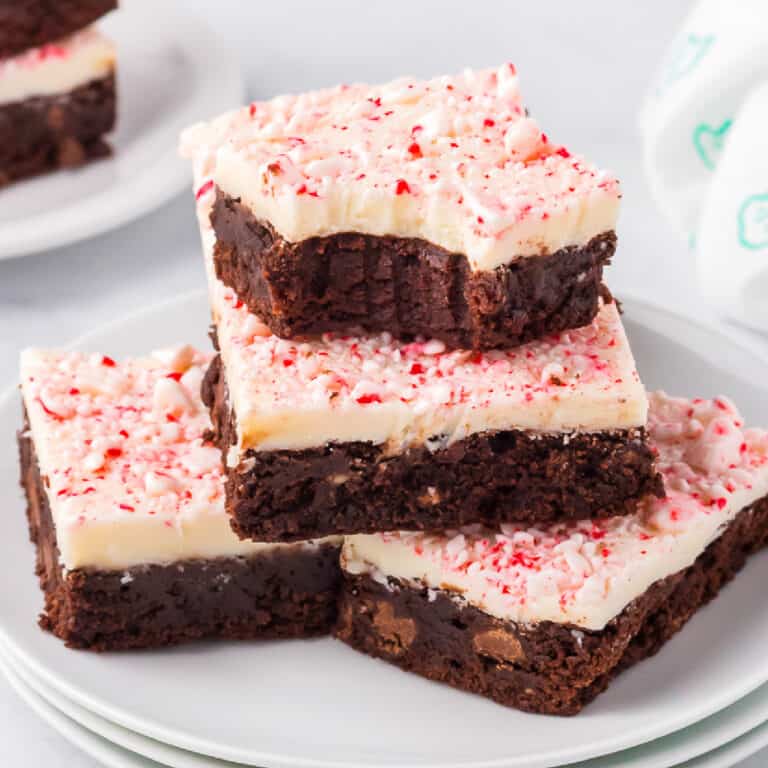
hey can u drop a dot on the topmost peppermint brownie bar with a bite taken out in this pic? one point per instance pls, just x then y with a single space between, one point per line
434 208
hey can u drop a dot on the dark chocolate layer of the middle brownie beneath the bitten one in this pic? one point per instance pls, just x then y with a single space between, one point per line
488 478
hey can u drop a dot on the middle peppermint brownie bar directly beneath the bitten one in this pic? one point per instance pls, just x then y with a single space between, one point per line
362 434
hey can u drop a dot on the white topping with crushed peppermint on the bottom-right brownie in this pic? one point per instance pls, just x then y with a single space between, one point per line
586 573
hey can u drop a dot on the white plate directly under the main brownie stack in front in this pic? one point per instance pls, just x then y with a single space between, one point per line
317 703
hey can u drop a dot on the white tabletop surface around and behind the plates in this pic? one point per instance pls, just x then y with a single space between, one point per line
47 299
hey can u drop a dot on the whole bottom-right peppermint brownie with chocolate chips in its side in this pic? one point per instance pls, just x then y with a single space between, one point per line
543 619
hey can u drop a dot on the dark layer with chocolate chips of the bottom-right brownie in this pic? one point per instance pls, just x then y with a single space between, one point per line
545 668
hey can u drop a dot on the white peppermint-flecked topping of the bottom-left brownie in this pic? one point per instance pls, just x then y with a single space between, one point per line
128 478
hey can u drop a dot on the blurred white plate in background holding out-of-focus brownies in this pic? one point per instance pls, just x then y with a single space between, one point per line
172 71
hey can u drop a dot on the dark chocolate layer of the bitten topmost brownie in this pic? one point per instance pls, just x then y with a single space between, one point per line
405 286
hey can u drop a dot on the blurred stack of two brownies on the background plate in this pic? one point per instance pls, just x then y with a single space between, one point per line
57 86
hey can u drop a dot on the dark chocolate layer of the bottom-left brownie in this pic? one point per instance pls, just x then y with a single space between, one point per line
271 595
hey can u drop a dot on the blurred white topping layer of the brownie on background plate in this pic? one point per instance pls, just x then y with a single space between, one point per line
56 68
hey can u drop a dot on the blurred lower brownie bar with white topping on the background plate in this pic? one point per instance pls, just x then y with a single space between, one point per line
57 102
